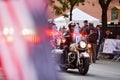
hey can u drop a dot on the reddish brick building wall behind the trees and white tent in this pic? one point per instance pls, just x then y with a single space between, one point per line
91 7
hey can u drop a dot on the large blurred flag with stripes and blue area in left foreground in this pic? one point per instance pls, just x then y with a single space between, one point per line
18 62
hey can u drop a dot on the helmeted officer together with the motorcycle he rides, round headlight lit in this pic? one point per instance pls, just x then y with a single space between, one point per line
74 53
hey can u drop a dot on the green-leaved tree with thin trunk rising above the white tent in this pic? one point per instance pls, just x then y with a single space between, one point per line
65 5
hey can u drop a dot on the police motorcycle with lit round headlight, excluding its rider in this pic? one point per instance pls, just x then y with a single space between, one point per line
74 56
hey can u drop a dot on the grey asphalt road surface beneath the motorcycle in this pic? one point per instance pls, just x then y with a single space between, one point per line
101 70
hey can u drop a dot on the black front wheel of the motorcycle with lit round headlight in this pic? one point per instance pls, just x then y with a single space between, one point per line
83 66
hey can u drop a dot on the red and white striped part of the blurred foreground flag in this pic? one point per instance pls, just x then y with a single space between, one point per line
15 60
